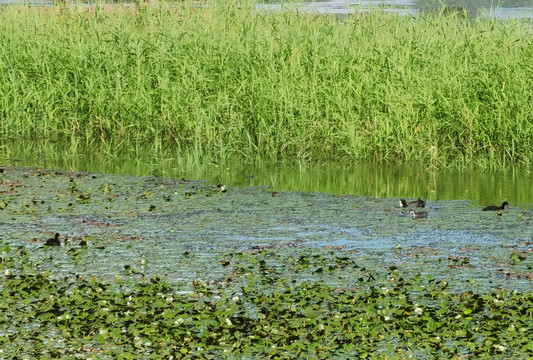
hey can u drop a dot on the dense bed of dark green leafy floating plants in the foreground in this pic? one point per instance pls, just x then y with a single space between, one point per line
254 313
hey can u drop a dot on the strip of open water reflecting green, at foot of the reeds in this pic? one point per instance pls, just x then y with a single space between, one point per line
384 181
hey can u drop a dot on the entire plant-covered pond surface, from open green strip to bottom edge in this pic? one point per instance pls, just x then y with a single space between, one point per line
192 270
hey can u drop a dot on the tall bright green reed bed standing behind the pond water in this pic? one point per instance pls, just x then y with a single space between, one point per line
438 89
